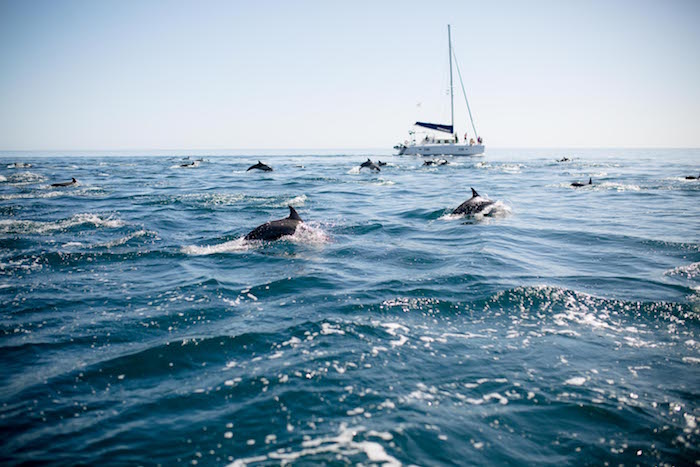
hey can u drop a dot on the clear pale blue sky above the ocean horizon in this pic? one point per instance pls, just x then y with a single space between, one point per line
121 75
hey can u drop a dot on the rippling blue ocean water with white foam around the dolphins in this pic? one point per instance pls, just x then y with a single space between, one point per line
138 328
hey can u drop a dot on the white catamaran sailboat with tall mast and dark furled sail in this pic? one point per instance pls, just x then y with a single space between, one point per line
445 145
